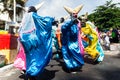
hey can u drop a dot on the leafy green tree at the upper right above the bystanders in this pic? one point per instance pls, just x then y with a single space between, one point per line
106 16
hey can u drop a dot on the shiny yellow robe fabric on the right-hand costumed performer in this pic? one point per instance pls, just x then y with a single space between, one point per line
93 40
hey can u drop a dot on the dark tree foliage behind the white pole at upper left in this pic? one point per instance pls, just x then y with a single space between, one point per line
9 4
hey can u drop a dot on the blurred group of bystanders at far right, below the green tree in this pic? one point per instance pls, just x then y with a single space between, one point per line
108 37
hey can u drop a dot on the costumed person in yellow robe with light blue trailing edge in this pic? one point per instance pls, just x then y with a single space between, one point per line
94 48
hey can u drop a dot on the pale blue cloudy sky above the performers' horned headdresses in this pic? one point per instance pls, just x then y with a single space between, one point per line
55 8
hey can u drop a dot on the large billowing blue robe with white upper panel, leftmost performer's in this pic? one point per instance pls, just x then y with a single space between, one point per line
35 35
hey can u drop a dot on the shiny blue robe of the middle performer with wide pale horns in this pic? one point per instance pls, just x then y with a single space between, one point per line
70 45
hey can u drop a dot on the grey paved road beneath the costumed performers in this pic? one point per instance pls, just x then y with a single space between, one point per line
109 69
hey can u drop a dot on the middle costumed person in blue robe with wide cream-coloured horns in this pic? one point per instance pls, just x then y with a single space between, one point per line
70 44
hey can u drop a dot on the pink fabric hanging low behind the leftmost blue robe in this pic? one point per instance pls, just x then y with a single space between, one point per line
20 61
